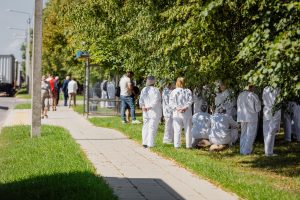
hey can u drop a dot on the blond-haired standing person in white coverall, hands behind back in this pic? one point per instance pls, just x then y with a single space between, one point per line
181 100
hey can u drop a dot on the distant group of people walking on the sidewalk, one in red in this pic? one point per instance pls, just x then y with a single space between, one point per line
50 92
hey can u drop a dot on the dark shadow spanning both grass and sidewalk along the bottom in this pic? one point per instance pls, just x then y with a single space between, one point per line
86 186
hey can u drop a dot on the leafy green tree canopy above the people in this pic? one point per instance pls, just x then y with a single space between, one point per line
204 41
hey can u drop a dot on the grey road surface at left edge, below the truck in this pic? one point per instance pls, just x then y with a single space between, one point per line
6 104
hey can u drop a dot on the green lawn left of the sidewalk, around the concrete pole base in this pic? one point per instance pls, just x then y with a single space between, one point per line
49 167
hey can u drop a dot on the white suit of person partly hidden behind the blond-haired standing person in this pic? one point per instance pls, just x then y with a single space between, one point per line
168 116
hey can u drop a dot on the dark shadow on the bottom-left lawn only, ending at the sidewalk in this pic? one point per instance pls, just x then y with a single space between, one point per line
78 185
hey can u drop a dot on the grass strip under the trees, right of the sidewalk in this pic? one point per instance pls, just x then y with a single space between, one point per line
250 177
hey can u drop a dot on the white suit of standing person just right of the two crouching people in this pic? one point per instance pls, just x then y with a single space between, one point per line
248 105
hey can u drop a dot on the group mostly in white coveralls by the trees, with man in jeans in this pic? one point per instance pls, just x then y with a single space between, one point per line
218 129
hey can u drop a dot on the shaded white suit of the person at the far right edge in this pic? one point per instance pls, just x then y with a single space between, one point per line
292 121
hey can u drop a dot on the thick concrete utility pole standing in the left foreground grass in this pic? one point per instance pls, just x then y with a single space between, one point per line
37 70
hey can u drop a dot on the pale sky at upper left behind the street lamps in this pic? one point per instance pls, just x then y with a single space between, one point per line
11 40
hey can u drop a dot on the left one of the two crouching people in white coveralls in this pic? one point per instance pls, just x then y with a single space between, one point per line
201 127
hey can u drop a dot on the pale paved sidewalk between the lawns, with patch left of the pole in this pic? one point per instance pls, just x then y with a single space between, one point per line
132 171
